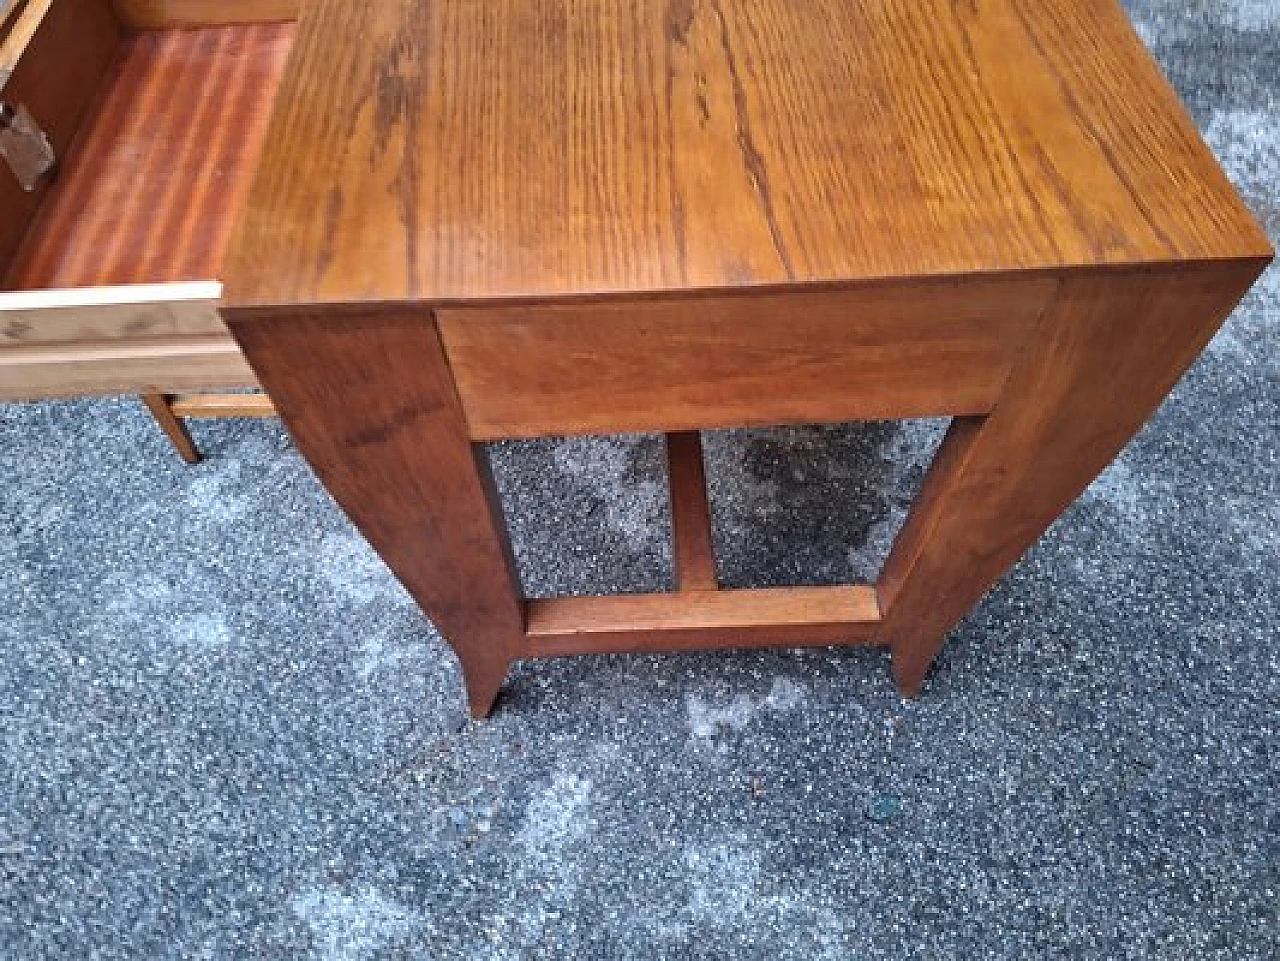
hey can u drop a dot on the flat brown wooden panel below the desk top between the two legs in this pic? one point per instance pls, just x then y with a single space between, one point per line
746 360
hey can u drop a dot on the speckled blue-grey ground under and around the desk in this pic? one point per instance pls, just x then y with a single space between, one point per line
228 734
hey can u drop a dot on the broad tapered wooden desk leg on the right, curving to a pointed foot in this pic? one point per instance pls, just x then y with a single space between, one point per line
1107 353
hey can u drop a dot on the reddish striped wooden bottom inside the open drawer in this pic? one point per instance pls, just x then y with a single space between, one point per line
152 190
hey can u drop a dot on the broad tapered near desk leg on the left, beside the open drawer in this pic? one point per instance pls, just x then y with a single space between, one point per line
371 402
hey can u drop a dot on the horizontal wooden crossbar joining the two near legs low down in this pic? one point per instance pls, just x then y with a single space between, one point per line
767 617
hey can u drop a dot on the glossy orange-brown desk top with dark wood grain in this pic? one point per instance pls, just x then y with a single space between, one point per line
479 150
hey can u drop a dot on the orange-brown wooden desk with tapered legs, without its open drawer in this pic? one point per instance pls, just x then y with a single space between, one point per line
479 219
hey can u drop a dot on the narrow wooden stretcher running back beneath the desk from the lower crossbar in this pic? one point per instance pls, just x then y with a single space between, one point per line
692 547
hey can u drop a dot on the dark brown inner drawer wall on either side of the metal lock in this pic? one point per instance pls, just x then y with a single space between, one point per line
56 77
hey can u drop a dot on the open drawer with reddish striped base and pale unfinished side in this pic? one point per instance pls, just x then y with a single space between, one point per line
156 113
